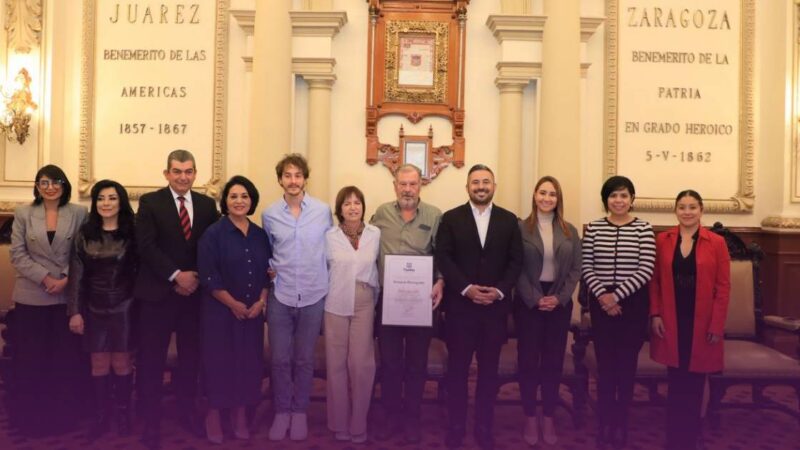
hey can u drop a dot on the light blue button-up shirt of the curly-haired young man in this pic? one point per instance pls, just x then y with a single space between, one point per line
298 250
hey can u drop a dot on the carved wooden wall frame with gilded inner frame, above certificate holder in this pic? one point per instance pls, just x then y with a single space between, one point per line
436 92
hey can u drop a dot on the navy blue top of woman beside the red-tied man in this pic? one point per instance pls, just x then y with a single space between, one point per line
229 260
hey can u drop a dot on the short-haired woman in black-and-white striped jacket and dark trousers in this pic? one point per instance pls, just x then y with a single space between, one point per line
618 260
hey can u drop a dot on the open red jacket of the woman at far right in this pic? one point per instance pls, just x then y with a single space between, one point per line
711 301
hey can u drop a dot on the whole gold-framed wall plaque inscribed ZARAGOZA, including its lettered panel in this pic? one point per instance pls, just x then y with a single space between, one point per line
679 100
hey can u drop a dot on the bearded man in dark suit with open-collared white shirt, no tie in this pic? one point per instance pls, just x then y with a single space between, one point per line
479 253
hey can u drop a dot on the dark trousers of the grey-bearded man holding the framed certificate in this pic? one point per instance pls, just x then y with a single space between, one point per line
404 360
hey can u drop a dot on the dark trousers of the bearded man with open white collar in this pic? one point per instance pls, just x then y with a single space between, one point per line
469 334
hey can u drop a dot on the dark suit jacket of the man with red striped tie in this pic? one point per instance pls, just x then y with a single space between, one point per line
160 242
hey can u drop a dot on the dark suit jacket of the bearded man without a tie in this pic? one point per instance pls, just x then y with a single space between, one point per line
462 261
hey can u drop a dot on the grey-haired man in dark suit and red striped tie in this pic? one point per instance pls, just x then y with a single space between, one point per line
169 224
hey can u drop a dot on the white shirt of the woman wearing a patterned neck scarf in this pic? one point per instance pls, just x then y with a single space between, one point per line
347 266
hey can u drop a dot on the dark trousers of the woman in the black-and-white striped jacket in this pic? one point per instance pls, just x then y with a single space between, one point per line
617 341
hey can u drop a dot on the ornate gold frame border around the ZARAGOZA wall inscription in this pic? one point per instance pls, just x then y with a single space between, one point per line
744 198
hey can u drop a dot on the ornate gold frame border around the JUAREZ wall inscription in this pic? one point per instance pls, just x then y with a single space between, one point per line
86 180
